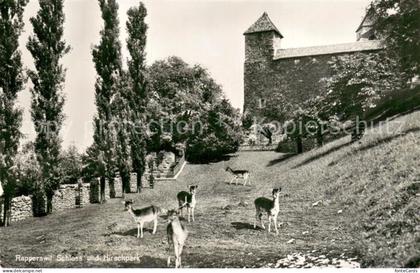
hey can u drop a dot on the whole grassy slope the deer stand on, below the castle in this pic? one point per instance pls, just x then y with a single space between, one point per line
368 211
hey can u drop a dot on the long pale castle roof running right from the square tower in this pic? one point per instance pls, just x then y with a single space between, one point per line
360 46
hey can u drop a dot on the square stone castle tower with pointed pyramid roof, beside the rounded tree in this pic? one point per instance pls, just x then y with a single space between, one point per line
262 39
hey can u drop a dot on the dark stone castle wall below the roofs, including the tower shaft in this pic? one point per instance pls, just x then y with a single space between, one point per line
289 80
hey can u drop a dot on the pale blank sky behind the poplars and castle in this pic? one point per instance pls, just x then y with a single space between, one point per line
205 32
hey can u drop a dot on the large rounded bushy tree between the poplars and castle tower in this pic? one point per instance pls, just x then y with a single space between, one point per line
187 107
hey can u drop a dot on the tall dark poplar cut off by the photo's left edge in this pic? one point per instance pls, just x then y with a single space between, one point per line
11 82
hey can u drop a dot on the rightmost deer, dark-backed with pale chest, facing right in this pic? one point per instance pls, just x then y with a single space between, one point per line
271 207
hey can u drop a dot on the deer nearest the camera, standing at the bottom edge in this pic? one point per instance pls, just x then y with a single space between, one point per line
177 234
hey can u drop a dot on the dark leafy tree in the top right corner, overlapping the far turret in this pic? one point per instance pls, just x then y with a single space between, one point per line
397 22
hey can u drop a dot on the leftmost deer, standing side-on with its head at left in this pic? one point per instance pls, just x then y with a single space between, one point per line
142 216
